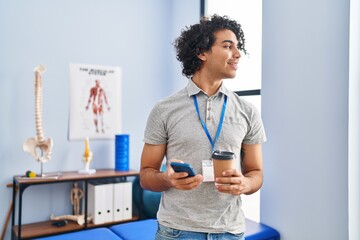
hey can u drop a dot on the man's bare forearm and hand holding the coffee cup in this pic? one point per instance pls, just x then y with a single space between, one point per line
250 178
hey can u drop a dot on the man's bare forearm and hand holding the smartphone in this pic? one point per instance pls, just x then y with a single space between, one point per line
153 179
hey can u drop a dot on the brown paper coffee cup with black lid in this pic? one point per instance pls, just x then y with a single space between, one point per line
222 160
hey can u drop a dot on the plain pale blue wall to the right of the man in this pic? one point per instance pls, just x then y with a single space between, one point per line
305 111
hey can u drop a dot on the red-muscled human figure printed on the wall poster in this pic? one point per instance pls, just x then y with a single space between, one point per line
98 97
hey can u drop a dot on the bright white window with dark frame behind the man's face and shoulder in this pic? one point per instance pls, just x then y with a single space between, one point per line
248 79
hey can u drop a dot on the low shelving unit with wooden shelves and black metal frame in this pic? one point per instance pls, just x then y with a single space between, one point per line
39 229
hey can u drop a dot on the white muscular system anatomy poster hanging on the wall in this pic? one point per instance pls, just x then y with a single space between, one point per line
94 102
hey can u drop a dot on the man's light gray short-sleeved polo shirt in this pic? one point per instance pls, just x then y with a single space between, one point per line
174 121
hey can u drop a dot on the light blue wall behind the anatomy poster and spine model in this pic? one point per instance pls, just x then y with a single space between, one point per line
135 35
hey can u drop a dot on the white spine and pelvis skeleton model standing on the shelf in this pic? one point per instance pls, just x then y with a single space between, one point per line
37 146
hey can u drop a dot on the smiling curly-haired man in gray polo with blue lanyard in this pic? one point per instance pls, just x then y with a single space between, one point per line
188 126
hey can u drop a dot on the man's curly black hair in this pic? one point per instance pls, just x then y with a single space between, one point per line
199 38
